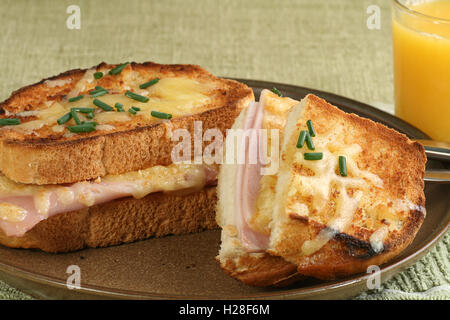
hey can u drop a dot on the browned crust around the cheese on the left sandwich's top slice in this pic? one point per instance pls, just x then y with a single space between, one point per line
54 159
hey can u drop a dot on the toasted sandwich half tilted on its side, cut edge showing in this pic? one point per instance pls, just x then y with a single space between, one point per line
348 194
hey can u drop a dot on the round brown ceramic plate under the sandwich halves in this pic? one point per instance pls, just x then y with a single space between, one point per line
184 267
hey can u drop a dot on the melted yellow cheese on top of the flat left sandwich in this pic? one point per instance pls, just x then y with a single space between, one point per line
176 96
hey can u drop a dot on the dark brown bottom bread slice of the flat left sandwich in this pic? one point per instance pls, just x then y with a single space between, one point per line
121 221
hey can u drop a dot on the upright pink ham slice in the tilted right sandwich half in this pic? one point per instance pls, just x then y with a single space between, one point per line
248 176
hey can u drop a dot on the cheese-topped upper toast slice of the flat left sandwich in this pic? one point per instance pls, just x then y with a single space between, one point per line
39 151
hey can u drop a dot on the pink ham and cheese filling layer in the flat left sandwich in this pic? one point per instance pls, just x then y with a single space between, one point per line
54 200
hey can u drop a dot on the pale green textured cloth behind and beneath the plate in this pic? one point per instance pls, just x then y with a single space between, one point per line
320 44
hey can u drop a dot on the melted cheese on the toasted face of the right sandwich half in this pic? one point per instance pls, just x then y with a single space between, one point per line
315 190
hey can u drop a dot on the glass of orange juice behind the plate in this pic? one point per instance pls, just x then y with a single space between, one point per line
421 45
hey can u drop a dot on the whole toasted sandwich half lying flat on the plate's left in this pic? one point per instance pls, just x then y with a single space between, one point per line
86 156
